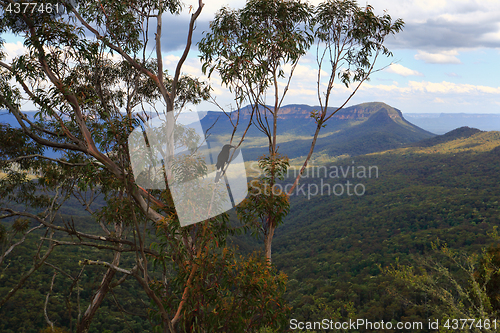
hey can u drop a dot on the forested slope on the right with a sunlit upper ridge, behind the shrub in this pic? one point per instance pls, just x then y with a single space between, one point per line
331 244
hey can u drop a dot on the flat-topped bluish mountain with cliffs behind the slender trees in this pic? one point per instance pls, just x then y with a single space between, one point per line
355 130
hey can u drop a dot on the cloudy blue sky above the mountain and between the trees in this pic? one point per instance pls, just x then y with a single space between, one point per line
444 60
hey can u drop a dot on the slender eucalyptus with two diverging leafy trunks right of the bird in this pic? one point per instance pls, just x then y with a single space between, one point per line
255 51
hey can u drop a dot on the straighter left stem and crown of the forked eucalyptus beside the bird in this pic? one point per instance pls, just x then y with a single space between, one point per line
249 48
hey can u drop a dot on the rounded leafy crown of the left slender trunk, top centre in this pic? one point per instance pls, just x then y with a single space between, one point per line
249 44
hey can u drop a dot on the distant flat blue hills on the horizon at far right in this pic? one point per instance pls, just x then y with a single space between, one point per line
445 122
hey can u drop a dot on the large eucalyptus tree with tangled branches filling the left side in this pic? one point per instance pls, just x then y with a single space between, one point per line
87 68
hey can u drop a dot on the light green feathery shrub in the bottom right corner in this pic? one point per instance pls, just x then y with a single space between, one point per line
458 285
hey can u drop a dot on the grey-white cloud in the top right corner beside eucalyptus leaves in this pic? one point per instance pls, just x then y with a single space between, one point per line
434 26
